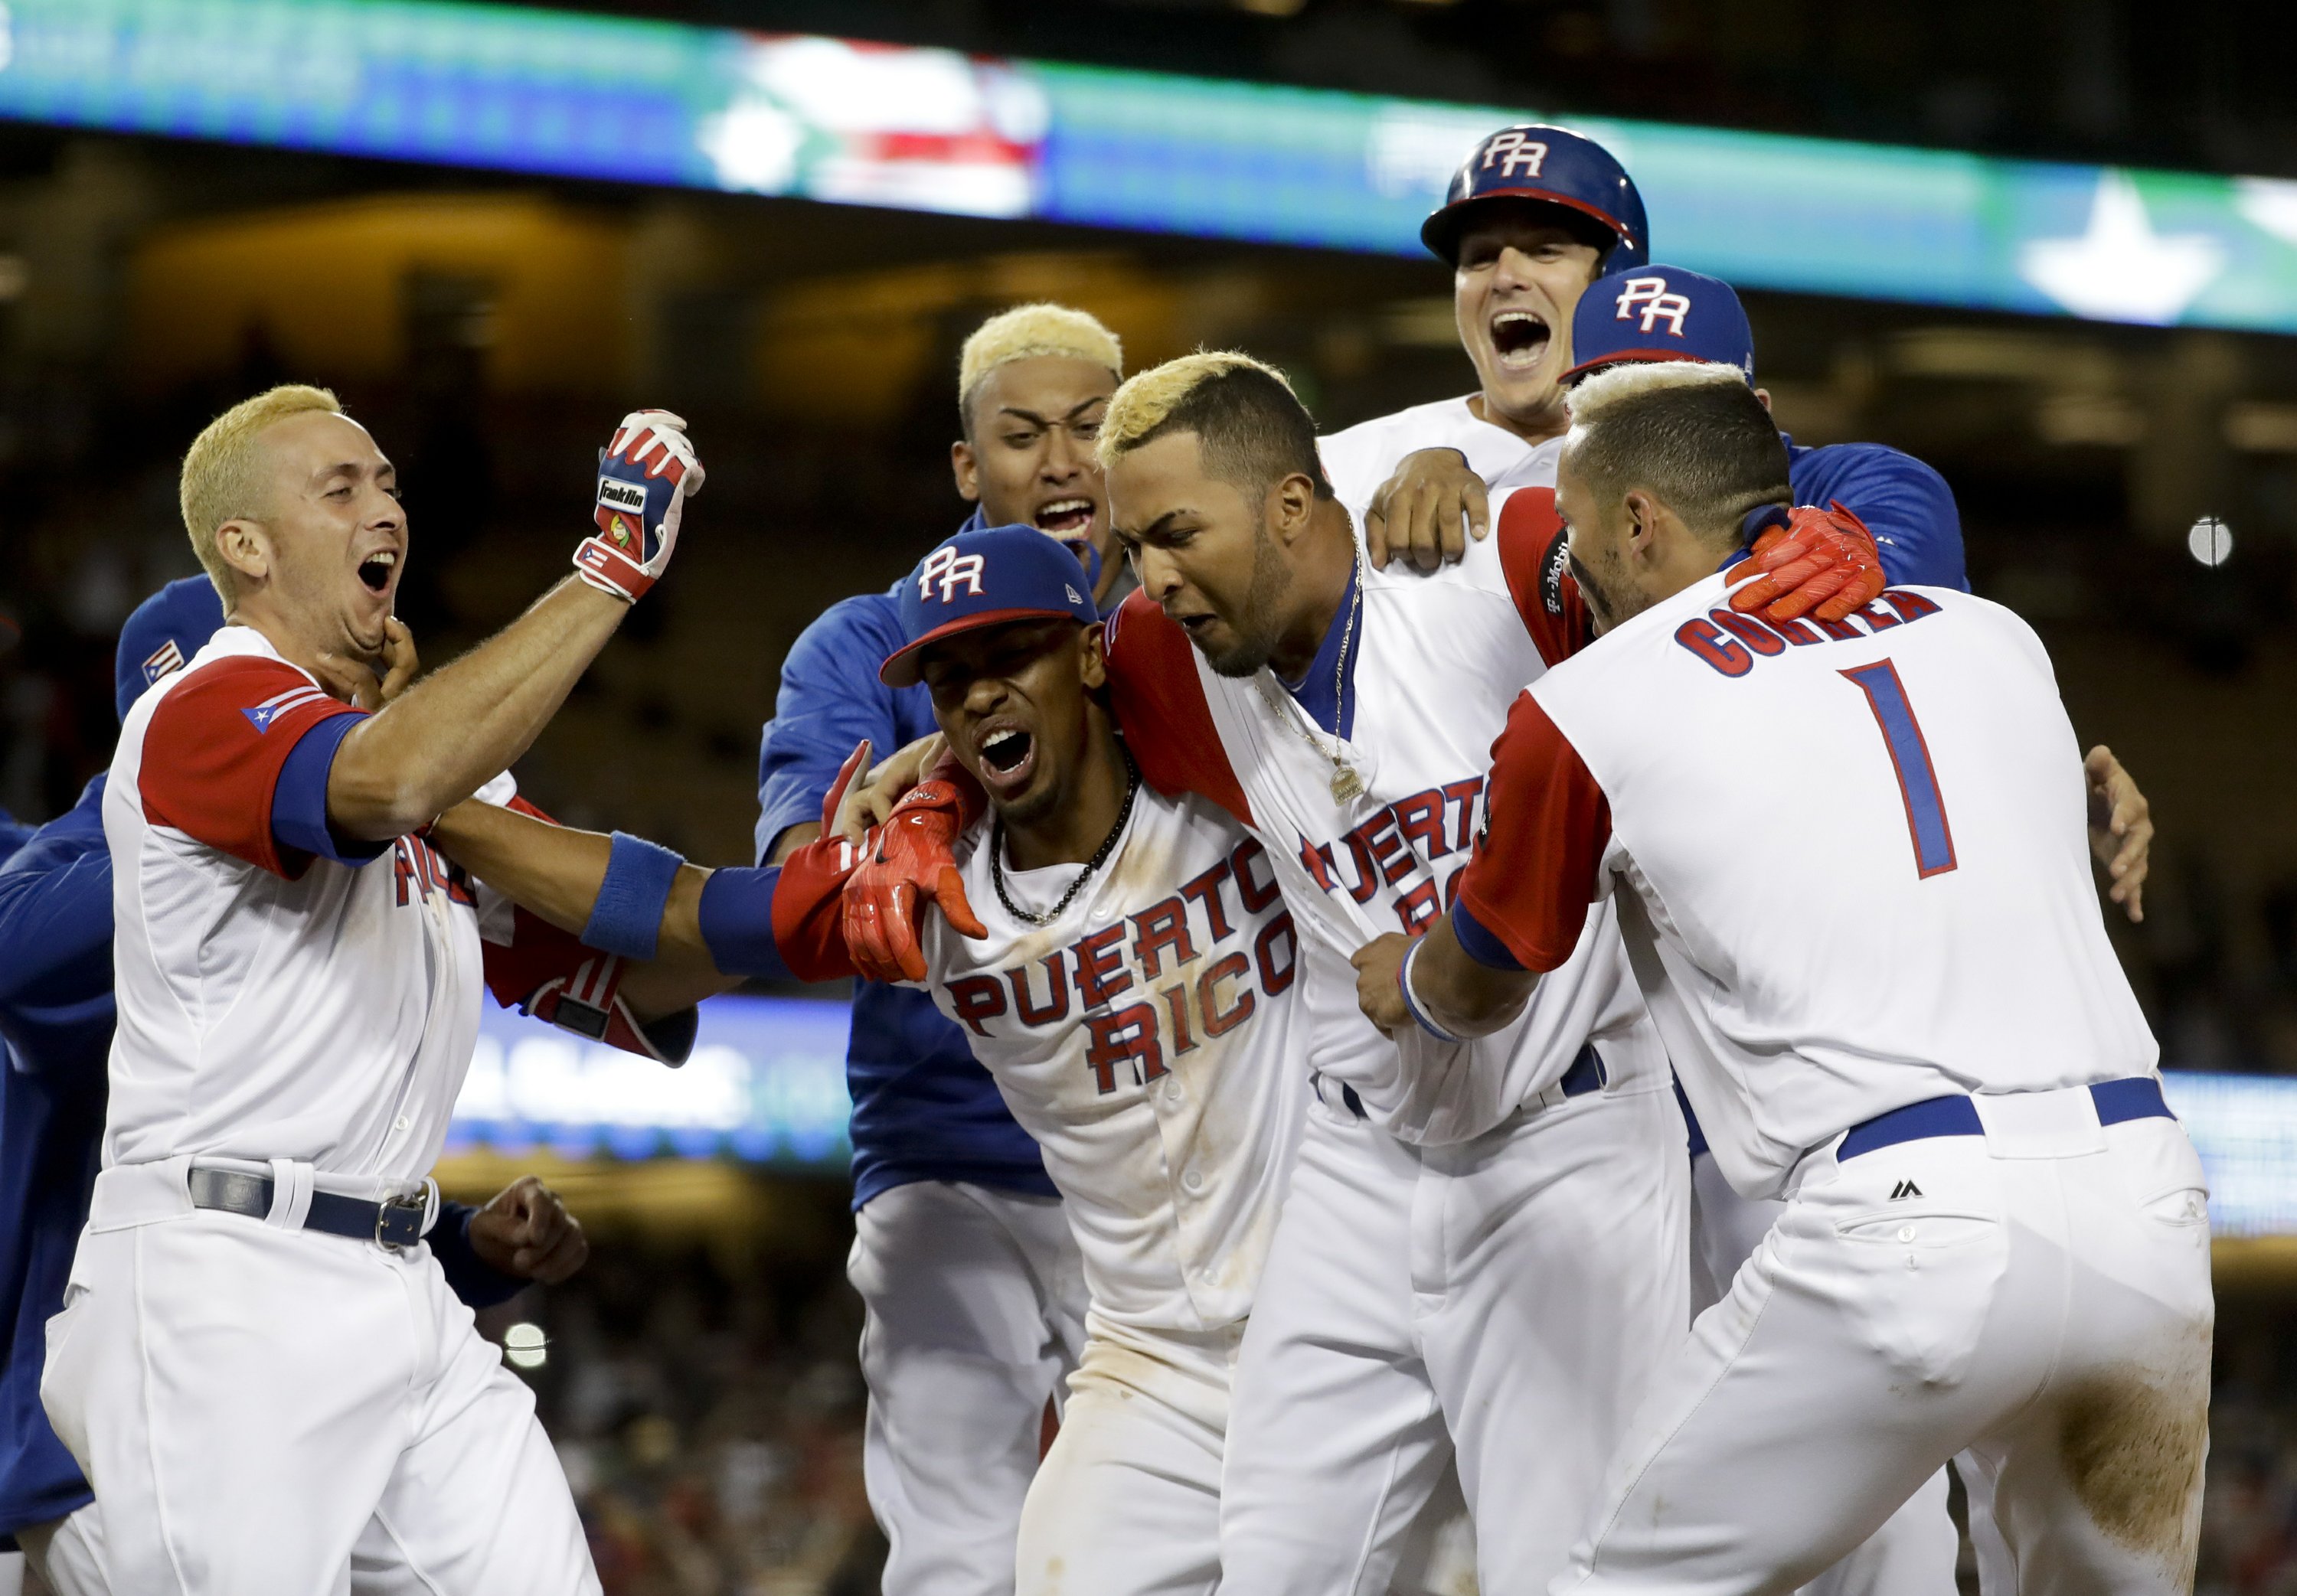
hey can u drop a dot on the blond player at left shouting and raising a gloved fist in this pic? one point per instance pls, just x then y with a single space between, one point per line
256 1363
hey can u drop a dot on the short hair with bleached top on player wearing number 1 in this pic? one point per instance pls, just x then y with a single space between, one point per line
1689 433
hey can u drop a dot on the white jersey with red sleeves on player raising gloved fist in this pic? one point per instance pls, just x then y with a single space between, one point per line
284 993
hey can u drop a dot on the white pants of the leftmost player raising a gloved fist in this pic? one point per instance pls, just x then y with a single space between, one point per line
247 1400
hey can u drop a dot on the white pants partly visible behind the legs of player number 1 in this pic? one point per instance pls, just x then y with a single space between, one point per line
1917 1549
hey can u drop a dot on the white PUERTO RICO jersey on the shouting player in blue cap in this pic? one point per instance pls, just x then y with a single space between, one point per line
1150 1041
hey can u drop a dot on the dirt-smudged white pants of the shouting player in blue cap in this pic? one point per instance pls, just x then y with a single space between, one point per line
1129 1498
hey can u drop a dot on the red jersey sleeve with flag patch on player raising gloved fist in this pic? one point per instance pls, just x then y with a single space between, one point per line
217 747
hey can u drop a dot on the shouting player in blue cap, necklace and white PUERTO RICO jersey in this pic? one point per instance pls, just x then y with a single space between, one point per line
1134 989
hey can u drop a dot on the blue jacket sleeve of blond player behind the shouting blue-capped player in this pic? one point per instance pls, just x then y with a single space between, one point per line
830 702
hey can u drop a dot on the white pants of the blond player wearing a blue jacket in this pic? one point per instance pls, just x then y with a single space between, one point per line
975 1312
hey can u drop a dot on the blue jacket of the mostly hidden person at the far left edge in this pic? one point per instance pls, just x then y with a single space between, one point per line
56 1032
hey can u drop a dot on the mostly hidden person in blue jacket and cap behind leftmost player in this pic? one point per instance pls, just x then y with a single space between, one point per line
56 1018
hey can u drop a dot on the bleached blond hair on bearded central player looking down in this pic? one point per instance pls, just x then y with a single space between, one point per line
1248 421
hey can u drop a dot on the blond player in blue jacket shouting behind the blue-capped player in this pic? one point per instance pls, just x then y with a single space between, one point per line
968 1271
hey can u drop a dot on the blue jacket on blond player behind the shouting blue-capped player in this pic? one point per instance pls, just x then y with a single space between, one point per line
925 1108
